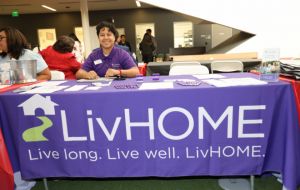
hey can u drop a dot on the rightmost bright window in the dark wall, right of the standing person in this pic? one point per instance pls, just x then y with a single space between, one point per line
183 34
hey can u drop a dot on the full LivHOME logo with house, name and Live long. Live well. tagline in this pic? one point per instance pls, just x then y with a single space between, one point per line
90 123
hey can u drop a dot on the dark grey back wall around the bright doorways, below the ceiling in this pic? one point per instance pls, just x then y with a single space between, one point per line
64 23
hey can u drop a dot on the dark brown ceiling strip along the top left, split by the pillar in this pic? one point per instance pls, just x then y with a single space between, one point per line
34 6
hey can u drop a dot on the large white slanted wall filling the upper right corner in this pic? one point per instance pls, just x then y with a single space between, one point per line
273 22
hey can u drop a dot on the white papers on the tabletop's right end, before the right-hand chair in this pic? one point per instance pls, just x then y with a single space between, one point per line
235 82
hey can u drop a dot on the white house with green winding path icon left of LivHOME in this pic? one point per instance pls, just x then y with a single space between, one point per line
29 106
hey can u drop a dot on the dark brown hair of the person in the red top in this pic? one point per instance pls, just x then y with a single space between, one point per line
64 44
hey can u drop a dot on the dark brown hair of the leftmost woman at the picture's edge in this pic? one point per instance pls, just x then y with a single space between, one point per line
16 42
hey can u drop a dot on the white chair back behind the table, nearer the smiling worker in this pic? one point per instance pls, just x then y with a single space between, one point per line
188 68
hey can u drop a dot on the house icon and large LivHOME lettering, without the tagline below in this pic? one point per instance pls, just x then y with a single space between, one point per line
234 119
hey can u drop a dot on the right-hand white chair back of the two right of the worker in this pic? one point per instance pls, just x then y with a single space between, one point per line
227 66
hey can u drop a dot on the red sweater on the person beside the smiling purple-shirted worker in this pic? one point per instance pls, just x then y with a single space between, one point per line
65 62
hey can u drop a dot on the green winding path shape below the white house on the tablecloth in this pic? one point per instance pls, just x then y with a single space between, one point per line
35 134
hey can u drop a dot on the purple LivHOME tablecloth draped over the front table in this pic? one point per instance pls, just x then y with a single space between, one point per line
183 131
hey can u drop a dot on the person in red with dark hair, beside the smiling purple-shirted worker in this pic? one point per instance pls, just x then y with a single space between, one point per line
60 57
